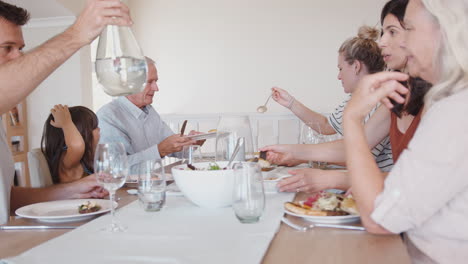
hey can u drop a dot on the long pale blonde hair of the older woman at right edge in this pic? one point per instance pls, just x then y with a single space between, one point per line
452 54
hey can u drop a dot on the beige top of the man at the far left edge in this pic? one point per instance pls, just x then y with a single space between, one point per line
7 172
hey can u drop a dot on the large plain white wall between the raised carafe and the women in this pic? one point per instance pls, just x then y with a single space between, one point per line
223 56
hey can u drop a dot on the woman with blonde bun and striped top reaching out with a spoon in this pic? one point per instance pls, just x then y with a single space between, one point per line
357 57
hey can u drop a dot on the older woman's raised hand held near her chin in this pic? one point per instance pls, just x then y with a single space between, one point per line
375 88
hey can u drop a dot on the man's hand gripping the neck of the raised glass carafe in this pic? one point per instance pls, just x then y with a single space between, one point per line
96 15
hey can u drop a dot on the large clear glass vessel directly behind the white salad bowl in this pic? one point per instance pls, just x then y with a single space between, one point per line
229 130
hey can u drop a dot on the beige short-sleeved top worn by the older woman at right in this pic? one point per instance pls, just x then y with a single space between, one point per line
426 193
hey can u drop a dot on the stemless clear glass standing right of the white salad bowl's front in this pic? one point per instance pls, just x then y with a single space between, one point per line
248 195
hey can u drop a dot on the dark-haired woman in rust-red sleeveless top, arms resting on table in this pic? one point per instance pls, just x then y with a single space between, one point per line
392 129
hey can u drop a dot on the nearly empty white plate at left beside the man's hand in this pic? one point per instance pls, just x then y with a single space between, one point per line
62 211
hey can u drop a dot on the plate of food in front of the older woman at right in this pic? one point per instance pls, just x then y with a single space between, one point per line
325 207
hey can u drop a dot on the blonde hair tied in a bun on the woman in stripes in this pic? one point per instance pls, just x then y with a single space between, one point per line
365 49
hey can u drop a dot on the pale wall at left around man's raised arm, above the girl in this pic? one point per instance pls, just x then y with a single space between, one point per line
65 86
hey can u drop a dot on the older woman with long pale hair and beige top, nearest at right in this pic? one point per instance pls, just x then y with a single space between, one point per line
425 196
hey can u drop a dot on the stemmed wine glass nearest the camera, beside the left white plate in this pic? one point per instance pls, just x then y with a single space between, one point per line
111 170
